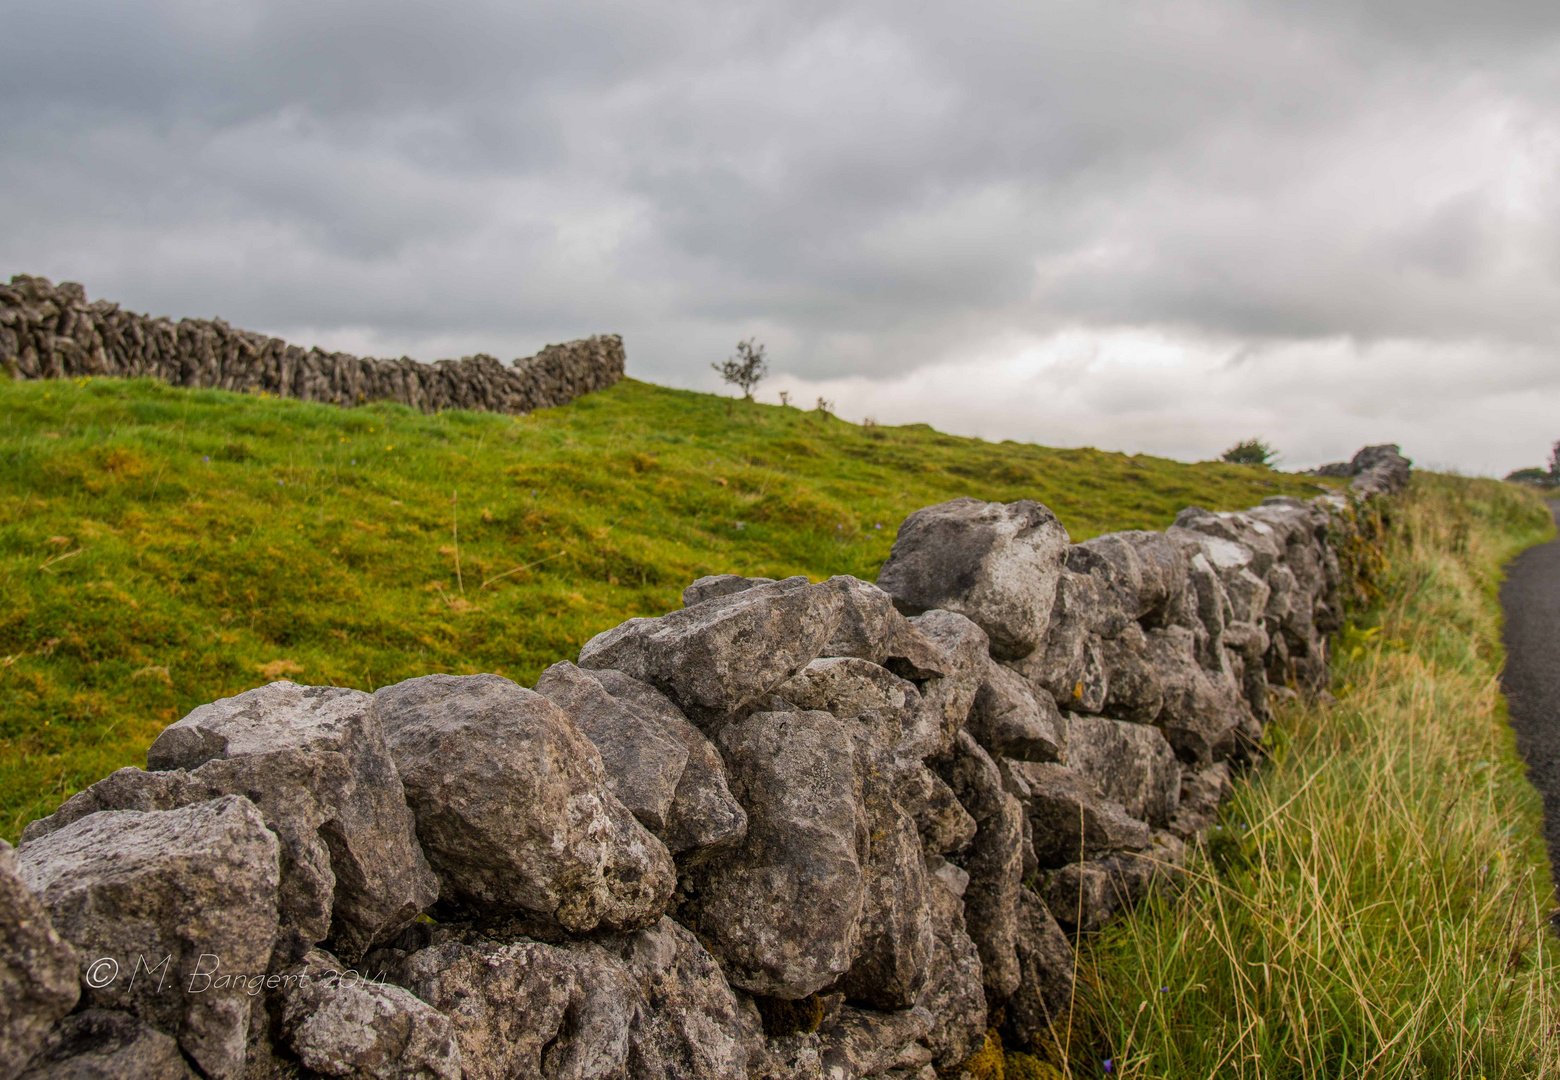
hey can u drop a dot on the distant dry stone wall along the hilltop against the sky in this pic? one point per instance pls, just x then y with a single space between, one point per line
52 332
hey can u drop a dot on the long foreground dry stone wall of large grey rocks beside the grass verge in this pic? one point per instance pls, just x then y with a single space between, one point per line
793 830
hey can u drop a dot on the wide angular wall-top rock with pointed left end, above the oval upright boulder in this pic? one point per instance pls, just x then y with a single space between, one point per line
726 653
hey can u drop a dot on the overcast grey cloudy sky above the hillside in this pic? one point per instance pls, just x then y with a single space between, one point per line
1144 227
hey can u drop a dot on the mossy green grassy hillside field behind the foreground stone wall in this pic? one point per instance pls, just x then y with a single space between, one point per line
161 549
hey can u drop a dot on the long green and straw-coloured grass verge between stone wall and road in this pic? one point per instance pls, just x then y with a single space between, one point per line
1377 900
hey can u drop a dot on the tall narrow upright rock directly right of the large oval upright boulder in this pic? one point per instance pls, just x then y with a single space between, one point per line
896 928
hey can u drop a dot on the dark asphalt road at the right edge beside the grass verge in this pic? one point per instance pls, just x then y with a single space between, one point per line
1531 681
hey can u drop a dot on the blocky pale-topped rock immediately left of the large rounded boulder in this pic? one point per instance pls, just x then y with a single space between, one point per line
316 764
